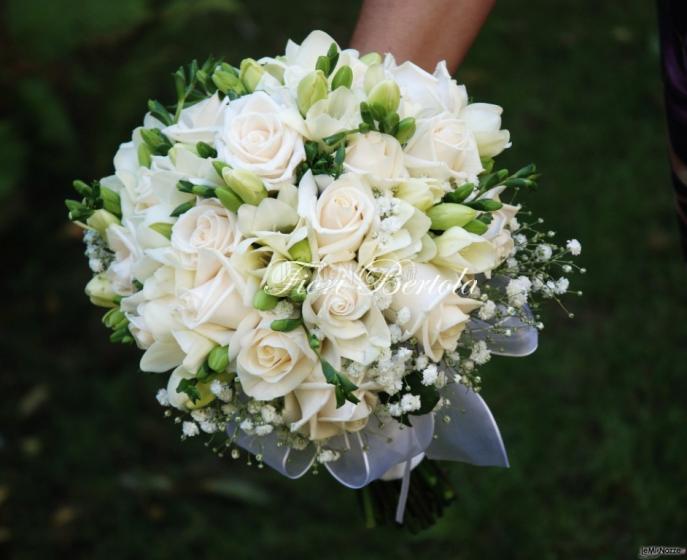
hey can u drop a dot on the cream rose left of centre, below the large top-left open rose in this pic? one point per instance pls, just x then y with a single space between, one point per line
209 225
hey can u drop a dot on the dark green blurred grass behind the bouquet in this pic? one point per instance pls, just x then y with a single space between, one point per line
594 422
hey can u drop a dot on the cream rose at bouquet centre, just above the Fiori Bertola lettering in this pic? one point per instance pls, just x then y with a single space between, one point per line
341 217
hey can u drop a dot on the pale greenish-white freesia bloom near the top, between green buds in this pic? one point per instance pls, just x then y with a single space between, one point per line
339 111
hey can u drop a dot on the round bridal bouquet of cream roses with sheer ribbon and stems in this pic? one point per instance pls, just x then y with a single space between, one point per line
319 252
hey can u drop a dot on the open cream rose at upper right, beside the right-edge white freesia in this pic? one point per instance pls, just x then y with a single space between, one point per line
443 147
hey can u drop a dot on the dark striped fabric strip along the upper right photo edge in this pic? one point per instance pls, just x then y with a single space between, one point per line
672 18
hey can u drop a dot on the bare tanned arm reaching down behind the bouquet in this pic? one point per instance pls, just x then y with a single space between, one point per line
424 31
